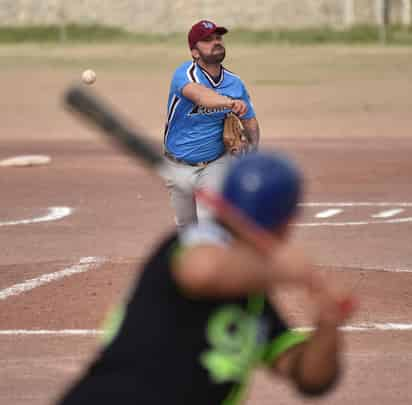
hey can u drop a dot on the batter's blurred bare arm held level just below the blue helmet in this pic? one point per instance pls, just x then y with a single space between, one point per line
240 269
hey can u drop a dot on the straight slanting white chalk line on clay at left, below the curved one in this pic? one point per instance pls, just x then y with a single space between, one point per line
85 264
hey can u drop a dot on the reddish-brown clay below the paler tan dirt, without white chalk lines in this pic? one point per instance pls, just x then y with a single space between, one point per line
120 211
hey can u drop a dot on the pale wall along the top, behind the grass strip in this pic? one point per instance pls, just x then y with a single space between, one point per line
178 15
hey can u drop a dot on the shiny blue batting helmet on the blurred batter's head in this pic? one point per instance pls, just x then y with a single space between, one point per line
264 186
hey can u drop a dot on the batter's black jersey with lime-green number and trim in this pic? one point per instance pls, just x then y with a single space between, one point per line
177 350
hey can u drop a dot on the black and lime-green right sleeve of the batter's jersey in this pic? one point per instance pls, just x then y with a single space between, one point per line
281 336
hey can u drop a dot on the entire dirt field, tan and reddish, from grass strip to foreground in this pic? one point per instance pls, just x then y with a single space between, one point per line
342 113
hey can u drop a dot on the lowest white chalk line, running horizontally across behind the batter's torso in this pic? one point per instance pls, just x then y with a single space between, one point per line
361 327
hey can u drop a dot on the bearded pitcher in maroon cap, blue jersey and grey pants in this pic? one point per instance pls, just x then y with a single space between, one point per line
202 94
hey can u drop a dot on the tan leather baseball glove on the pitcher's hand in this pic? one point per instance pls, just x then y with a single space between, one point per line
235 137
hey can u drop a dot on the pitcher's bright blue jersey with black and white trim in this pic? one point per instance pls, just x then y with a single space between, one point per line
194 133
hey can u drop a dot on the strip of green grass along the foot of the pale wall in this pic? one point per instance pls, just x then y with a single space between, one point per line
362 34
